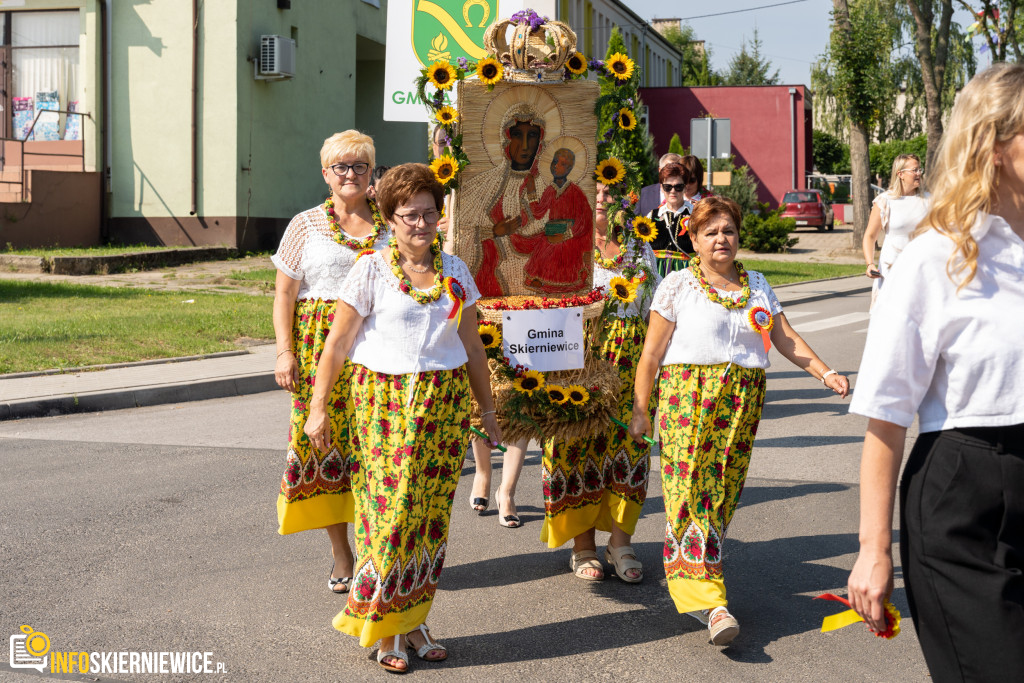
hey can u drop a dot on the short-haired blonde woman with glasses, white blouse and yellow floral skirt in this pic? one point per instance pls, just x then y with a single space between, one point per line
319 249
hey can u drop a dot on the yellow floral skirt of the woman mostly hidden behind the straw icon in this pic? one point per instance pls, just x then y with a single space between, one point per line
601 481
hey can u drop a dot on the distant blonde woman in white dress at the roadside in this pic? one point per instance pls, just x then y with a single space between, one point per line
897 212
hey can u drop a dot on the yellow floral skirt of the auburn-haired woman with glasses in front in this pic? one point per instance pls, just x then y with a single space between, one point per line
410 434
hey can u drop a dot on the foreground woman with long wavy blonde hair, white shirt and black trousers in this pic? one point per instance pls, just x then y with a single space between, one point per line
946 344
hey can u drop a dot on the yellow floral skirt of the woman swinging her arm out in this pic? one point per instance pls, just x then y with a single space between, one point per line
709 416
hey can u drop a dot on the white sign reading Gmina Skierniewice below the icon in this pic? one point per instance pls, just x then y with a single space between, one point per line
544 340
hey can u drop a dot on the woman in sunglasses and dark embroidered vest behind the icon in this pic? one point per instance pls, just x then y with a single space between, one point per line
682 188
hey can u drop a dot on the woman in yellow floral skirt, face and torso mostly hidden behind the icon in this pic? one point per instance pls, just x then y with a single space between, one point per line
601 483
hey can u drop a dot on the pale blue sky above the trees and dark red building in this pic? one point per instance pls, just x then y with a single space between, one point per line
793 36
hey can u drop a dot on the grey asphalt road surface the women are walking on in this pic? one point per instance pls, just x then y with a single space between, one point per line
156 530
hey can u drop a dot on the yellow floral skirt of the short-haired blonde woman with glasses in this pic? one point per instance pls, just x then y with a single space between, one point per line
316 491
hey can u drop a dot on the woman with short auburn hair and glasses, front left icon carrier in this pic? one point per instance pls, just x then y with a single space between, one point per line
408 322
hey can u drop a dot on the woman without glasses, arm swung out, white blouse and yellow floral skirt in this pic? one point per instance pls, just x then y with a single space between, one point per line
711 370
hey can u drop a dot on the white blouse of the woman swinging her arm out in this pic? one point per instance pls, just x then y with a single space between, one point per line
708 333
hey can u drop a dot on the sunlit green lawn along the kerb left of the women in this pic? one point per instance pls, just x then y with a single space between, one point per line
65 326
